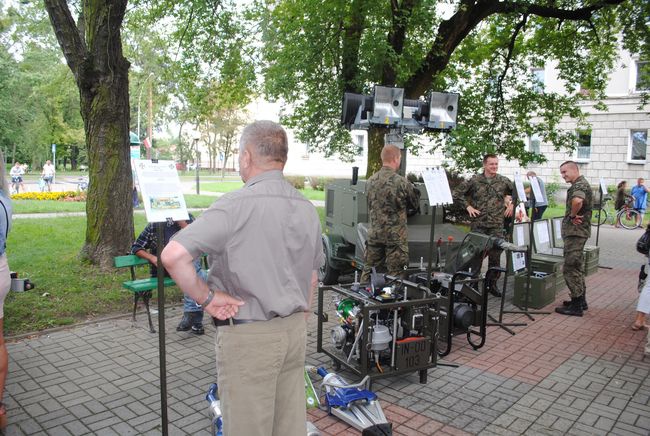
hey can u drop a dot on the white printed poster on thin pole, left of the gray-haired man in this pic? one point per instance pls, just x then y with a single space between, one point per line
161 190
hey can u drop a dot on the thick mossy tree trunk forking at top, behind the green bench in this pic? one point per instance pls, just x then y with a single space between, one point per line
93 51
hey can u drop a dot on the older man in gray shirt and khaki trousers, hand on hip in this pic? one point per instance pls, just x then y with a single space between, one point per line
264 248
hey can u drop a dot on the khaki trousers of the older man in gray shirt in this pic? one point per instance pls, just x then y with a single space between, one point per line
260 369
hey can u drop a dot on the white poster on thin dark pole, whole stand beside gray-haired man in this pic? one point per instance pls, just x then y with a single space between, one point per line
163 202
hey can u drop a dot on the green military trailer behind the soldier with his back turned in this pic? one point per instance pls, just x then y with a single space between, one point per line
346 230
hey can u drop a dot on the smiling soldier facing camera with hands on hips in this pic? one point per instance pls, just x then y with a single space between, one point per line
487 197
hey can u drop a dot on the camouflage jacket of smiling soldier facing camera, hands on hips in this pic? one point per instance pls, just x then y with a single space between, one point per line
486 194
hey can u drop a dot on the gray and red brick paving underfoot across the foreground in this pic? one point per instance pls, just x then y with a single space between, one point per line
557 375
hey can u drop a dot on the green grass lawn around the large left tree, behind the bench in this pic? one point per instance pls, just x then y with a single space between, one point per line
67 290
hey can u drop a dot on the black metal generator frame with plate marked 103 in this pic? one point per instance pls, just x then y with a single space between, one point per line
369 305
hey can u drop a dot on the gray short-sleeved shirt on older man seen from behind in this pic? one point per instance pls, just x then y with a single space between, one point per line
263 242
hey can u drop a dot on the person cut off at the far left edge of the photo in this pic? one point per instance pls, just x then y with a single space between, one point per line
5 284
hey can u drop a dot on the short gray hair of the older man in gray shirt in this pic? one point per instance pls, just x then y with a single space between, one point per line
266 140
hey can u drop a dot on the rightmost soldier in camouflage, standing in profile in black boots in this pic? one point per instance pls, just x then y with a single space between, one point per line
576 229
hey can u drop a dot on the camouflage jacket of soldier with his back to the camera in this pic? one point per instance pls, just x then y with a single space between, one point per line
389 195
